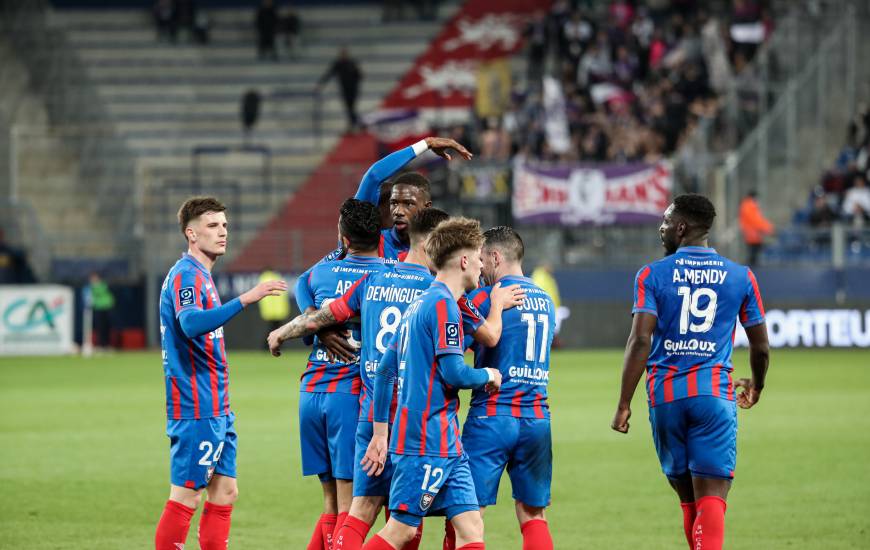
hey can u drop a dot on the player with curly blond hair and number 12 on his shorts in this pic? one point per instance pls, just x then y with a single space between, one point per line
430 467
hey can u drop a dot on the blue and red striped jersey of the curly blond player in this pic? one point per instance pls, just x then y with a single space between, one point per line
426 417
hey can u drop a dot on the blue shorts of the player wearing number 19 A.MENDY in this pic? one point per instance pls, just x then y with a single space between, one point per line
696 435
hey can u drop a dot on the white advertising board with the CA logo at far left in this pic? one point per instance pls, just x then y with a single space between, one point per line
36 319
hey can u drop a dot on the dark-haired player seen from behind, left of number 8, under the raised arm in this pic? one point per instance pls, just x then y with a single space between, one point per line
329 399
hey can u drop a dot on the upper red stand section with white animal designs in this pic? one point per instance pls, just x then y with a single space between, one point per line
446 74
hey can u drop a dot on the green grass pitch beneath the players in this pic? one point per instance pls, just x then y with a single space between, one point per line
84 461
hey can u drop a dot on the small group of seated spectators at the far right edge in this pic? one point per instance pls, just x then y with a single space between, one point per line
842 194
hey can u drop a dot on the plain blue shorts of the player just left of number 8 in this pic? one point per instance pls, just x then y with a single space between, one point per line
327 429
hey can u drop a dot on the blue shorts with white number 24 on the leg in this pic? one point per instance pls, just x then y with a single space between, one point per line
201 448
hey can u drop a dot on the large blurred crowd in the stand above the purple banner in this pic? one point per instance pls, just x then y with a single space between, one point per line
630 79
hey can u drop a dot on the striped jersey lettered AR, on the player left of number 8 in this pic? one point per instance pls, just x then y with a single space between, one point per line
325 281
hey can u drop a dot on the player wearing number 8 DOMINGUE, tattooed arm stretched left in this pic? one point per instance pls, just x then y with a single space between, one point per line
380 299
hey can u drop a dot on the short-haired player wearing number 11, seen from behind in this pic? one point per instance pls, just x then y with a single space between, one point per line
510 428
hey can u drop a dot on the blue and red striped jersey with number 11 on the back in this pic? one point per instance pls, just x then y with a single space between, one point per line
522 354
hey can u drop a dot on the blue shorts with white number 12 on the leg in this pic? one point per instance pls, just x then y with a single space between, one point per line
430 485
